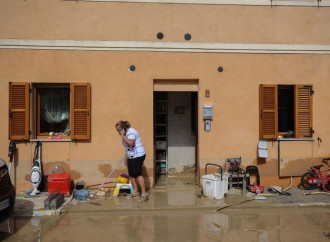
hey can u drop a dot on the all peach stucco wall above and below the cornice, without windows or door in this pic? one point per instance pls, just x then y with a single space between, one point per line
120 94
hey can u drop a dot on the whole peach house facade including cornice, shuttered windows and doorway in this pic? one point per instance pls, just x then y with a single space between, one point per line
263 69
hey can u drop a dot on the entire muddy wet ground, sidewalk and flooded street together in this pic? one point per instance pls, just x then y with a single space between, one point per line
175 212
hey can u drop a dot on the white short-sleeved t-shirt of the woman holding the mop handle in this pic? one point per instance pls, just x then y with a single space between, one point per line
137 150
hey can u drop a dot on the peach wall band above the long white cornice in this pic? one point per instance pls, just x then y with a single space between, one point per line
52 19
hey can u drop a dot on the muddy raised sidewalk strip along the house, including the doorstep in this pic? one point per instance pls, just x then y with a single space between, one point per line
178 194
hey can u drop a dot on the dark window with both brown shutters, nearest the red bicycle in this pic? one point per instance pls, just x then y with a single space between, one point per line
285 108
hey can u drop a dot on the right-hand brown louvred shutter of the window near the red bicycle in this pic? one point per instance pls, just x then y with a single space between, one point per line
303 111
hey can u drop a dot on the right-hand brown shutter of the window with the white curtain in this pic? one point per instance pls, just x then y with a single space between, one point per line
80 111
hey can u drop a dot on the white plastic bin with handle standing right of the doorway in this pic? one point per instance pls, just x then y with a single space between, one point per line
213 186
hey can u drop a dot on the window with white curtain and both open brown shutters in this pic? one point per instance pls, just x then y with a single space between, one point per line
60 108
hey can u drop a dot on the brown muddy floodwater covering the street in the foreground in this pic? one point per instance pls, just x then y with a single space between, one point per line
289 224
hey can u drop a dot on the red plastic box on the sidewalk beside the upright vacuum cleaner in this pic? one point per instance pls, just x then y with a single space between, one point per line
59 182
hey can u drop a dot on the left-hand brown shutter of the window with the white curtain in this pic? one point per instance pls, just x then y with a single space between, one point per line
19 111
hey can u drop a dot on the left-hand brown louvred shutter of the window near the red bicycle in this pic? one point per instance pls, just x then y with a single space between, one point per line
268 112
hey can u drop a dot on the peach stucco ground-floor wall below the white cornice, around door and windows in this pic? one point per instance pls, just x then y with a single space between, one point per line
120 94
